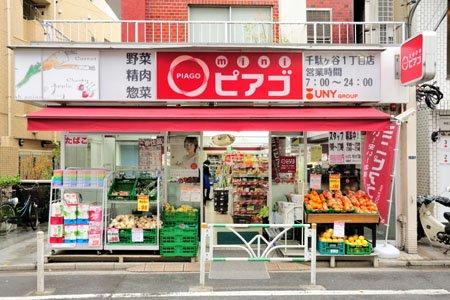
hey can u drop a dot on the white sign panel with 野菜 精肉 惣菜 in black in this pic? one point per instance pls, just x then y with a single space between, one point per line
127 75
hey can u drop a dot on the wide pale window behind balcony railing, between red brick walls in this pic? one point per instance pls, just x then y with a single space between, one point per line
230 24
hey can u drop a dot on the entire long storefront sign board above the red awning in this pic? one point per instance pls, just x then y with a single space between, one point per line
131 75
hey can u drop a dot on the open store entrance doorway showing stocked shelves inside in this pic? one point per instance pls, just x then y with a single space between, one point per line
236 176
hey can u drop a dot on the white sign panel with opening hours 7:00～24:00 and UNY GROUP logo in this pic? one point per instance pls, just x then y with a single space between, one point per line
342 76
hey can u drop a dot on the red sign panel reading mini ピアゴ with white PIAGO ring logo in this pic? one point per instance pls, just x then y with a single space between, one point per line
229 76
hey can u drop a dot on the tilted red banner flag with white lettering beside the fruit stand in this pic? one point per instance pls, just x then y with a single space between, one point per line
378 161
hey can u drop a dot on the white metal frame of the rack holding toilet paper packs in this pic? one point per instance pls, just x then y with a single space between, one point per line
56 195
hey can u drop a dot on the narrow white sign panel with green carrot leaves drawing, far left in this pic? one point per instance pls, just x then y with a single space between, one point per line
28 75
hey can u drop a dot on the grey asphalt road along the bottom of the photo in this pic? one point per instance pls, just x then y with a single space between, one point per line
332 284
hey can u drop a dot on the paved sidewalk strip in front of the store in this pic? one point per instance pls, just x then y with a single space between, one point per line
18 253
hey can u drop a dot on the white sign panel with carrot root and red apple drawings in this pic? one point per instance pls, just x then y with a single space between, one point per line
70 74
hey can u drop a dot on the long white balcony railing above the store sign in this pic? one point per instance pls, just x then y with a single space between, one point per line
253 33
